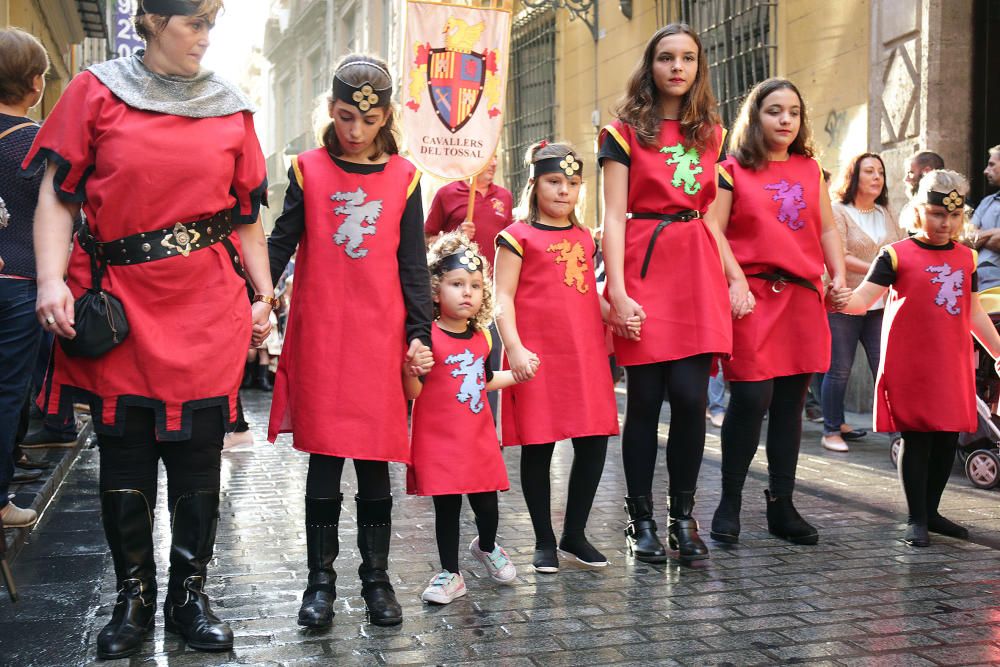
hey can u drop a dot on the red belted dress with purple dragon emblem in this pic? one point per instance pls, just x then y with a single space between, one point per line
775 225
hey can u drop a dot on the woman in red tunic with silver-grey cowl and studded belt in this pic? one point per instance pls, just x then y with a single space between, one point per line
164 159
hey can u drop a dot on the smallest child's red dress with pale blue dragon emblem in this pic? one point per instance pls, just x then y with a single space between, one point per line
453 439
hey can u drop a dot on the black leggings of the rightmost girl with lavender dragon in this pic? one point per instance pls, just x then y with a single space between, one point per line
925 463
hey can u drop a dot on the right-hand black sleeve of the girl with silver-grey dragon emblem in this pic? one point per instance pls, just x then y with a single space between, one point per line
413 274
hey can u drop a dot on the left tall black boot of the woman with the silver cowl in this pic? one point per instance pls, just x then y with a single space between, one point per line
128 525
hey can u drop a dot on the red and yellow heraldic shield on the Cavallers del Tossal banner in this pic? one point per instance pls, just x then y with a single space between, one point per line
456 82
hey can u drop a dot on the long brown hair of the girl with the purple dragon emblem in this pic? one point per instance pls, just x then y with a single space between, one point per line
747 136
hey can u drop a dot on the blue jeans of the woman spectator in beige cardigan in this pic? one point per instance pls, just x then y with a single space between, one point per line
845 332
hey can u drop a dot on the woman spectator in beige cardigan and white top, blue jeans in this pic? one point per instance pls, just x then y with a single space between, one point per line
865 223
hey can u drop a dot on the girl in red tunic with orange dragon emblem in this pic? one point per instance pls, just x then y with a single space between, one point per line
548 306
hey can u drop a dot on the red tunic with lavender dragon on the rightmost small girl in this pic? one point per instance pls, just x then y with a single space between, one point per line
926 380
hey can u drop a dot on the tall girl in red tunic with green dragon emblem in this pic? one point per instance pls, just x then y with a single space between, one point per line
663 266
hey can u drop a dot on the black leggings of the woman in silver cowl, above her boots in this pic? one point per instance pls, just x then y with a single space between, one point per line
129 461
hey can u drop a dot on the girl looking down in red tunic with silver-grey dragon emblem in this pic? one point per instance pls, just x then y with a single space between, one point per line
361 299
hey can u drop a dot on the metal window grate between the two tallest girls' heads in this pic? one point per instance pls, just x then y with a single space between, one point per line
739 42
